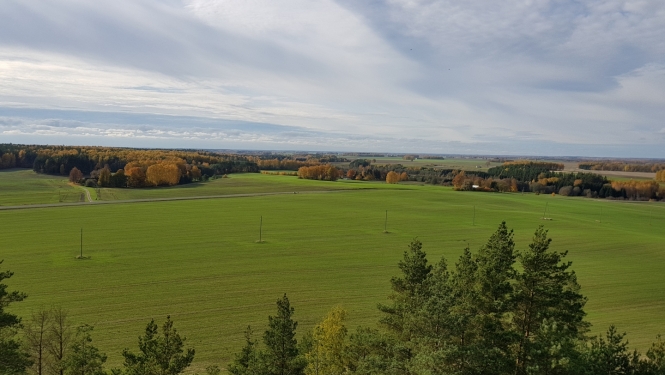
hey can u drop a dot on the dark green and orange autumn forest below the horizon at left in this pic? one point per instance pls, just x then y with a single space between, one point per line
124 167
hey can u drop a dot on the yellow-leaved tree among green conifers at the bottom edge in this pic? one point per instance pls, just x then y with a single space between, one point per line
327 354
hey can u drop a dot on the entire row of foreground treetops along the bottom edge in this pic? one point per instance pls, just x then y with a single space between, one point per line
497 310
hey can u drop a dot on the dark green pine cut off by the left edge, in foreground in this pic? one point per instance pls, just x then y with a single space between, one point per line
13 360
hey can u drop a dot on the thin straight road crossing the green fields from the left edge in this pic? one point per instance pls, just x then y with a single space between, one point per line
148 200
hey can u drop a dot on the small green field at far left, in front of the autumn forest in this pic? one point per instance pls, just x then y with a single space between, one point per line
23 186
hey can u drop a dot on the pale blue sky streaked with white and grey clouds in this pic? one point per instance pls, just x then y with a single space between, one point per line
527 77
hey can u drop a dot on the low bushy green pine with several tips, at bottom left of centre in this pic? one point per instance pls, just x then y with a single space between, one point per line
159 354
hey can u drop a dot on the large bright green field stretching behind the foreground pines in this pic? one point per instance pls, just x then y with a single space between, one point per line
199 260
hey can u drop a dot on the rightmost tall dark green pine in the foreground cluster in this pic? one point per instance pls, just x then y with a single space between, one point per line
548 312
